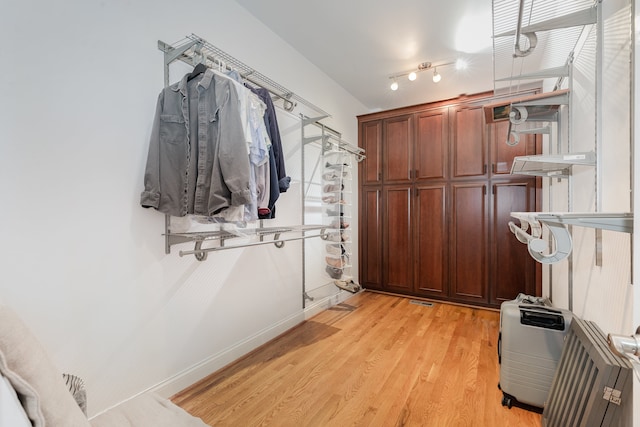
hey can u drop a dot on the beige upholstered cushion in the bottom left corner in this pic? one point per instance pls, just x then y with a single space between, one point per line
38 383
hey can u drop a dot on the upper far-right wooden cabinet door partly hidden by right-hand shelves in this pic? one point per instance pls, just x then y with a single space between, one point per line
502 154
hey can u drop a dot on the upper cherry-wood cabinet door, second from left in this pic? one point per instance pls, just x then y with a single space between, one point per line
397 149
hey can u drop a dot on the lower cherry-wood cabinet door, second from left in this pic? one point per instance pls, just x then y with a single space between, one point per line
398 238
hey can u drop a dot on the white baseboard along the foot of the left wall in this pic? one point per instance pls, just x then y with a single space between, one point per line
190 376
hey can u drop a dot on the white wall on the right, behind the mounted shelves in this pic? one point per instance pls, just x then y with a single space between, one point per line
602 293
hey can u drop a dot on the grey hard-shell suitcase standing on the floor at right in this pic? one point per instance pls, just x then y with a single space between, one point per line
530 344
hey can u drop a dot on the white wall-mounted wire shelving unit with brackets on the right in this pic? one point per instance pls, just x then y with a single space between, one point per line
569 30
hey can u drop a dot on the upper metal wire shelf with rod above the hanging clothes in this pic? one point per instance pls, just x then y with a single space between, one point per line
188 49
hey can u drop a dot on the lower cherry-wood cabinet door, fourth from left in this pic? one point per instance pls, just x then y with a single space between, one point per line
468 239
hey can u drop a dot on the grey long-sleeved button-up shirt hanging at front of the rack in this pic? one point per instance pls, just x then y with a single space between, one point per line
197 161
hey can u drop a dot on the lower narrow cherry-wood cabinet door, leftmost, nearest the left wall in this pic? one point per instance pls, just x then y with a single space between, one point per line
370 240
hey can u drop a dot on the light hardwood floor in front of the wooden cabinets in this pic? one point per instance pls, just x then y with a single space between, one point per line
374 360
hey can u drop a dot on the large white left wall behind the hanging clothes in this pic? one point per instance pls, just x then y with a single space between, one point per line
81 261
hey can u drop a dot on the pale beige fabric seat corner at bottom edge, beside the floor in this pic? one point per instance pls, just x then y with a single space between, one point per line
147 410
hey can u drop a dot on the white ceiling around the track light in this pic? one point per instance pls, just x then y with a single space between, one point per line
360 44
